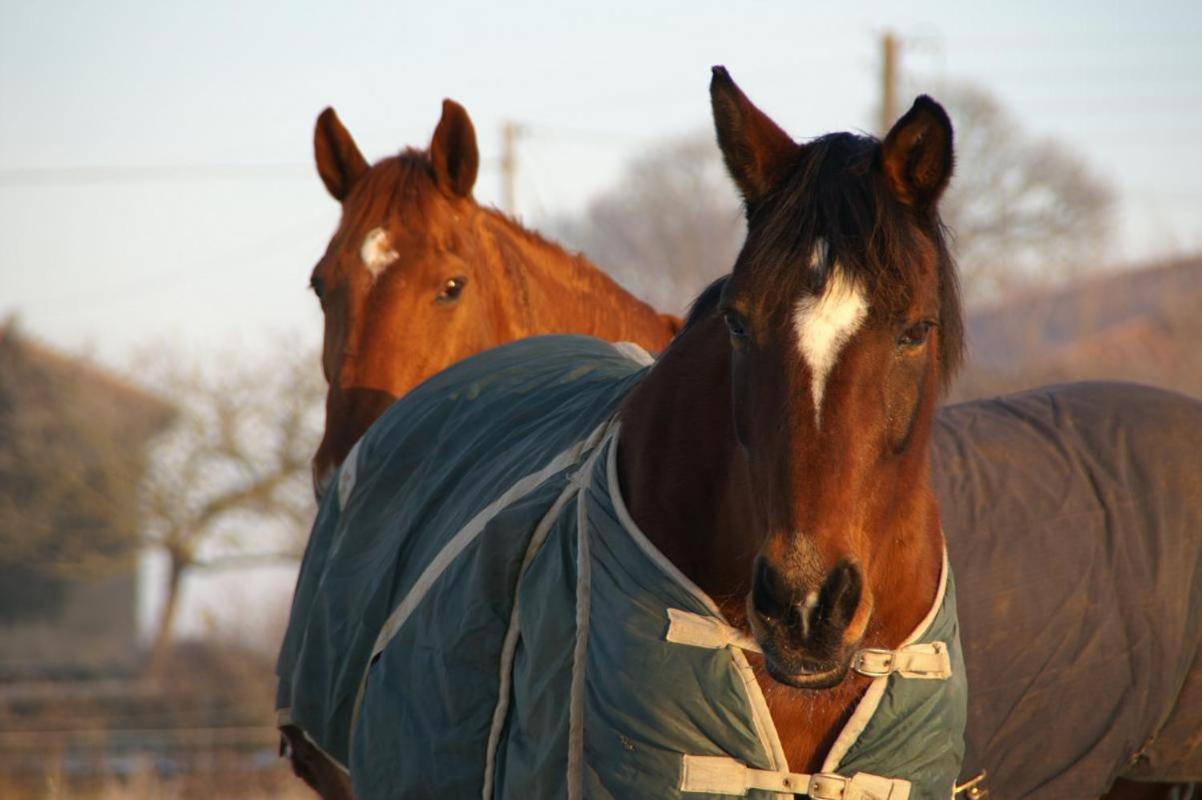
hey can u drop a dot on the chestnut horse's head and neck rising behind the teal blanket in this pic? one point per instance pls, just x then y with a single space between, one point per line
419 276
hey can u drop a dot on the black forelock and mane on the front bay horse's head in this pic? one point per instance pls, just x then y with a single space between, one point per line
835 193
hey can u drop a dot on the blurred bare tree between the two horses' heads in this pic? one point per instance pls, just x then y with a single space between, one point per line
671 225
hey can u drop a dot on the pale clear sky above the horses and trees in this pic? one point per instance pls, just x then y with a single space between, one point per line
157 181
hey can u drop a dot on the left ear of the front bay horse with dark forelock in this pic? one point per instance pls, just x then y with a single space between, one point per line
758 153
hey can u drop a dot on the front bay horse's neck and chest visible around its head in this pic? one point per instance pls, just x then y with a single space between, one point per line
695 504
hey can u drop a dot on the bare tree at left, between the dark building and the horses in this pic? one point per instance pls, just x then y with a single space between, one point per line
233 476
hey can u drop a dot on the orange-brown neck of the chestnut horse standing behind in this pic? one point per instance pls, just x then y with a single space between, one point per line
560 292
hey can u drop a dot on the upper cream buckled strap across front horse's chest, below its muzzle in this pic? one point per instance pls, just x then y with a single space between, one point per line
921 661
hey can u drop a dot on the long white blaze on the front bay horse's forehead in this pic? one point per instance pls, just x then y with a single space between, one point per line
824 325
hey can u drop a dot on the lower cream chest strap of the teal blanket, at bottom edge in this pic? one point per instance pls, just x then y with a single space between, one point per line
723 775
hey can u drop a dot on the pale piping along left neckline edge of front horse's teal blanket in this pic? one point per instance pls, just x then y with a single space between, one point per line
766 730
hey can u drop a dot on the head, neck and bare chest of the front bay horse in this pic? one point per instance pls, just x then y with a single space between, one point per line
777 455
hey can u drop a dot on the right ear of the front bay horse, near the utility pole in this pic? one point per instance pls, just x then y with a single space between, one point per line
918 154
